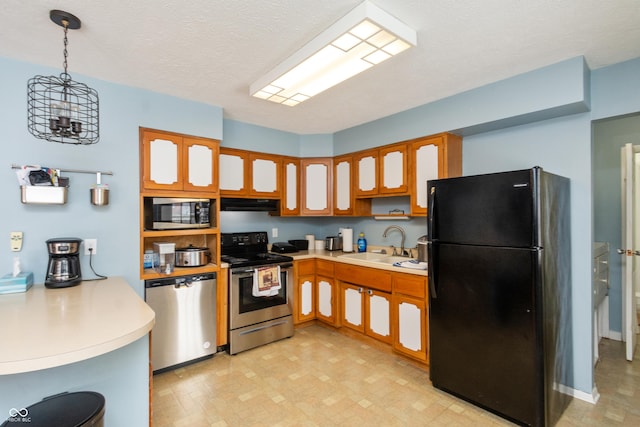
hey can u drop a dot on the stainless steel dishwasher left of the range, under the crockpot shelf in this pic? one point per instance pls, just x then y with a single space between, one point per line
185 328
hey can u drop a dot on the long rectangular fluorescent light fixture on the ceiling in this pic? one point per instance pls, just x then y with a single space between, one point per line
364 37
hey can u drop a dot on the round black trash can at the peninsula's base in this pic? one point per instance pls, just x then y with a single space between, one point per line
77 409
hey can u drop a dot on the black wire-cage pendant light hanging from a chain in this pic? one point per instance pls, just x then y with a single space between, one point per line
60 109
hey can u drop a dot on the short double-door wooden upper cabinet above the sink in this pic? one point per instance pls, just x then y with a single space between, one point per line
381 171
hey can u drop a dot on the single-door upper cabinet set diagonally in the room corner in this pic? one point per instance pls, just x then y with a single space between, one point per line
316 184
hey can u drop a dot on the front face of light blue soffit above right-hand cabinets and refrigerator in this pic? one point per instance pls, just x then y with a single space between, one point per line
553 91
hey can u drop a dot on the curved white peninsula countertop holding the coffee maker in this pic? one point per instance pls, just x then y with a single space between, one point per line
43 328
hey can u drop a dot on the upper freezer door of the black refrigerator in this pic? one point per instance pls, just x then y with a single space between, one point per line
495 209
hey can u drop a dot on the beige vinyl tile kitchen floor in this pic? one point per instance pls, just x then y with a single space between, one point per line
322 378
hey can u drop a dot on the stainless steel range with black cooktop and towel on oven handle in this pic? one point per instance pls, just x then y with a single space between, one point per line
260 299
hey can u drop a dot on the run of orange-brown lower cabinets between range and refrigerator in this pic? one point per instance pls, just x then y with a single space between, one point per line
389 306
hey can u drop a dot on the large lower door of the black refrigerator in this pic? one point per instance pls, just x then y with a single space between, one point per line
483 340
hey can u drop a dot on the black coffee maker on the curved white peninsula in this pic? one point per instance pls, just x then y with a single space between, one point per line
64 262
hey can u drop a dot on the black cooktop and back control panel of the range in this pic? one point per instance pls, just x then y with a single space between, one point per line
248 249
